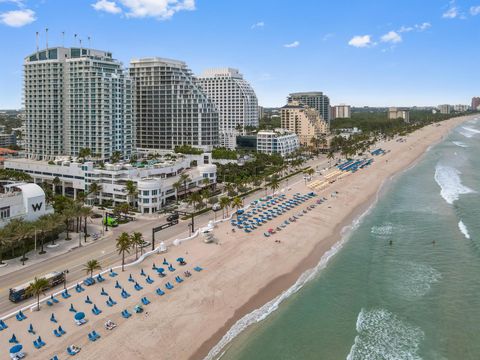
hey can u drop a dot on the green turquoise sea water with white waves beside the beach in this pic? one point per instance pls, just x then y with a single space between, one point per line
414 299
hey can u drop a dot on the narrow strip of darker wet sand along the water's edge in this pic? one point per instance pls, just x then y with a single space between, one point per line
284 282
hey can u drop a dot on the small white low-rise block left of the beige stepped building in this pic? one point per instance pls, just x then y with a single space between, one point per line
278 141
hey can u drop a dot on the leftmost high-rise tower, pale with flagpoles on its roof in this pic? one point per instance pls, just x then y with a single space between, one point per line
76 98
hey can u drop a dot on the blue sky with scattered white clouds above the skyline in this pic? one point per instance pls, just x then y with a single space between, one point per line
363 53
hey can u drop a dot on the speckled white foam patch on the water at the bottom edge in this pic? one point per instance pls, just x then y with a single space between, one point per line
382 335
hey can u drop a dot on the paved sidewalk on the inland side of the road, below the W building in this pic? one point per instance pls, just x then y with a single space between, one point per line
62 246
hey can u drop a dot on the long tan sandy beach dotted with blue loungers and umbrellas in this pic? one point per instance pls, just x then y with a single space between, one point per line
241 273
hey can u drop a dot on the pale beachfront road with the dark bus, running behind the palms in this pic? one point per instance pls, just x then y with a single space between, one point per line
104 250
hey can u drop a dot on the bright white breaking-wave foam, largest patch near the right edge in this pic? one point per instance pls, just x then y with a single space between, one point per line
448 178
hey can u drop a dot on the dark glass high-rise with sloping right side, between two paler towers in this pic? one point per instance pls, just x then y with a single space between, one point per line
170 108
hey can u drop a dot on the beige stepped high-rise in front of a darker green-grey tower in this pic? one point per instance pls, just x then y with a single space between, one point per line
303 121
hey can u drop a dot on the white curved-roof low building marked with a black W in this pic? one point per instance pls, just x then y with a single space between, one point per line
22 201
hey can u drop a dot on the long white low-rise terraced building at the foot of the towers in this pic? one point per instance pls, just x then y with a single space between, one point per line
154 179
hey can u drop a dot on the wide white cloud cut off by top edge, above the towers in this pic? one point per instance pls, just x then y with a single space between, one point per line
158 9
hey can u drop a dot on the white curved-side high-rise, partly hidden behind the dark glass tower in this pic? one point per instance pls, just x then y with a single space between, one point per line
234 99
